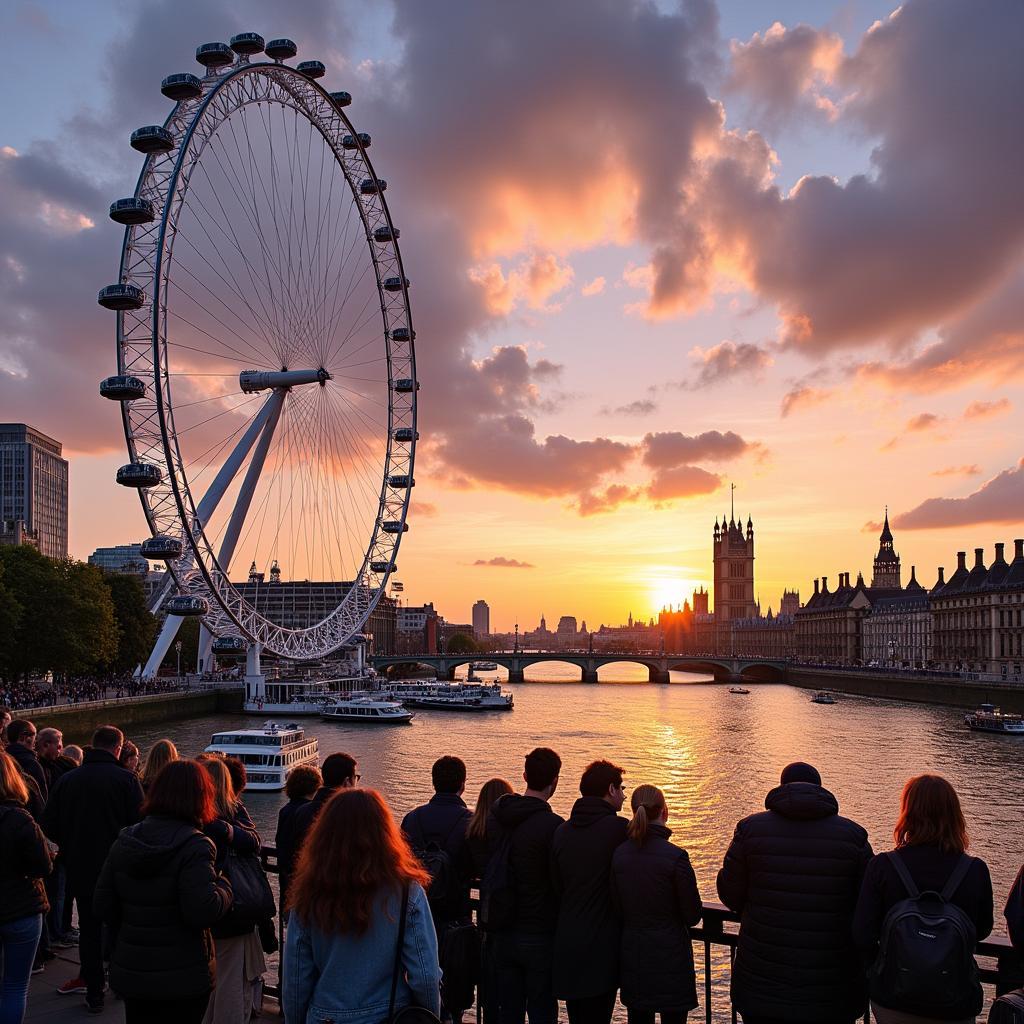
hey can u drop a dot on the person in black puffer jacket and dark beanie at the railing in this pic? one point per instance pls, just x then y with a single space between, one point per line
793 874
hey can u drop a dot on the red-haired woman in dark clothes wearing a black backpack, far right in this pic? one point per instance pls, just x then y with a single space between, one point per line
930 859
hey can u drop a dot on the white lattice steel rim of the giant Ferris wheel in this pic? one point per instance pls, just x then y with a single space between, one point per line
216 580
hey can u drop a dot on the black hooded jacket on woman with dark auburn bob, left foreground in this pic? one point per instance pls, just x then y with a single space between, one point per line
159 893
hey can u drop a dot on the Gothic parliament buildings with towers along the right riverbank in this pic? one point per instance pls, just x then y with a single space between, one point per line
971 622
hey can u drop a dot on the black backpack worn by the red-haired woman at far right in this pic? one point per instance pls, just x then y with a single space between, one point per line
926 952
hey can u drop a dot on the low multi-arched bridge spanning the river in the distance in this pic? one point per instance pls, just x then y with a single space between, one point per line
659 665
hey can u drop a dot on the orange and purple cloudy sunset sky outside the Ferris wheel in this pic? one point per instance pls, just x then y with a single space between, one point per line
655 249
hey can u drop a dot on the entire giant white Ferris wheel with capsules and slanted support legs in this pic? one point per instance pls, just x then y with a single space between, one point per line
267 371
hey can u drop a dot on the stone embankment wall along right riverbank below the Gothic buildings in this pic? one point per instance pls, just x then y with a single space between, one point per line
919 690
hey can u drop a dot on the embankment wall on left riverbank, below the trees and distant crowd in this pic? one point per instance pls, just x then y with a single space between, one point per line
78 722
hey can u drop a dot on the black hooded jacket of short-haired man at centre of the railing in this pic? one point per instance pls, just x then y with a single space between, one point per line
533 825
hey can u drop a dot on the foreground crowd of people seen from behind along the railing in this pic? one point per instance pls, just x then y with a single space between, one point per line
161 858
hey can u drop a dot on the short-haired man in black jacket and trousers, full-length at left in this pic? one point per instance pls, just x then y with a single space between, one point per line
87 810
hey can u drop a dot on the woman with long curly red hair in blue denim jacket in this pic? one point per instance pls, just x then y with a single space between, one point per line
357 889
